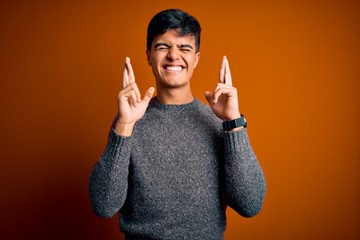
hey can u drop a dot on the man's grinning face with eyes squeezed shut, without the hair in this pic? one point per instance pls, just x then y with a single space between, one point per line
173 59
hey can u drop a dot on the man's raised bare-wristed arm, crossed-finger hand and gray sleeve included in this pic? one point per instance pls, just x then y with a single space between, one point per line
109 179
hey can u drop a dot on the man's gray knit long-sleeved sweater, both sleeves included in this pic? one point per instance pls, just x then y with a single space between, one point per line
174 177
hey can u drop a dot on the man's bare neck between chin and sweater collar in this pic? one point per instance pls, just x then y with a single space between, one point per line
175 95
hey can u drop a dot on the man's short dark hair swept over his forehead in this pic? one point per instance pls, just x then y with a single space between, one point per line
173 19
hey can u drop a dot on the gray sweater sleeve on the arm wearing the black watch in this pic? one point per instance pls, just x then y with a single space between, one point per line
245 185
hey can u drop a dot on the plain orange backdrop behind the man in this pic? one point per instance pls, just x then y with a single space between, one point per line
295 64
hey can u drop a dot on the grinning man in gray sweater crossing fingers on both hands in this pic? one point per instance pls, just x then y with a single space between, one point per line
172 164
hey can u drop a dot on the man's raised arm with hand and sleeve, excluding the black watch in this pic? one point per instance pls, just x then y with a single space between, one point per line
244 179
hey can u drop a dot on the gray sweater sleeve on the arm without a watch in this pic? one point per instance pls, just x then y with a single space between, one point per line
108 180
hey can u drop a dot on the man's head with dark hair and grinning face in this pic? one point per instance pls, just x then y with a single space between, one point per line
173 43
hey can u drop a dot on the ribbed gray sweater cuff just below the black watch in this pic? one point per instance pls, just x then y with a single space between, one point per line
236 141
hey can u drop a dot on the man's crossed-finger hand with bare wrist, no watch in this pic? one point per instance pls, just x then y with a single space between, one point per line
131 106
